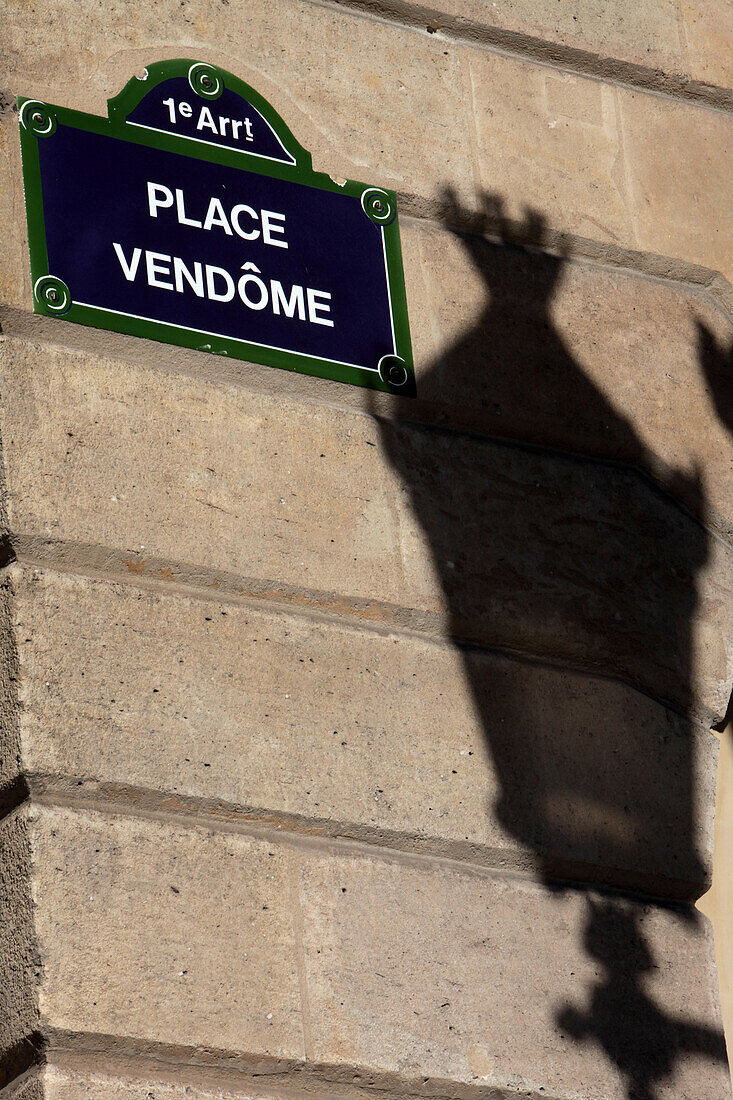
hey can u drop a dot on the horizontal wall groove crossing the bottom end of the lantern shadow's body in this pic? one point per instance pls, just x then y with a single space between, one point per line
344 839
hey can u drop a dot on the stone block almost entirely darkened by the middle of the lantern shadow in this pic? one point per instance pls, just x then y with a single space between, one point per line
521 551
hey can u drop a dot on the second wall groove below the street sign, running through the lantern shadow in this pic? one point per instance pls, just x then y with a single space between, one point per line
163 576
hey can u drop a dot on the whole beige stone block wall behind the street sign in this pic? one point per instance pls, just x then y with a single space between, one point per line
356 745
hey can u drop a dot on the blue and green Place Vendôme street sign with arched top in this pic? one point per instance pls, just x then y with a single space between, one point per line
192 216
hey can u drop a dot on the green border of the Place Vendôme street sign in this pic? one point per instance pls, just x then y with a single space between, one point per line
52 299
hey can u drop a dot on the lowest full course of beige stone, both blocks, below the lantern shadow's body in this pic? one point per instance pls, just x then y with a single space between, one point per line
387 987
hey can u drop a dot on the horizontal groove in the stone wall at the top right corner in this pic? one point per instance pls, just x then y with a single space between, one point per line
530 48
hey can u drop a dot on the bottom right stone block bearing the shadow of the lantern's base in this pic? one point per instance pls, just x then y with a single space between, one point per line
435 973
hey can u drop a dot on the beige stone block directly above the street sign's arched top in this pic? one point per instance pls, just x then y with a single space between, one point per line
315 64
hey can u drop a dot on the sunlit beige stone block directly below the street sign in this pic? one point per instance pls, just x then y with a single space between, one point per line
165 466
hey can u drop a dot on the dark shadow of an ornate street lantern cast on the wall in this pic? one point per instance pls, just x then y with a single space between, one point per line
550 537
